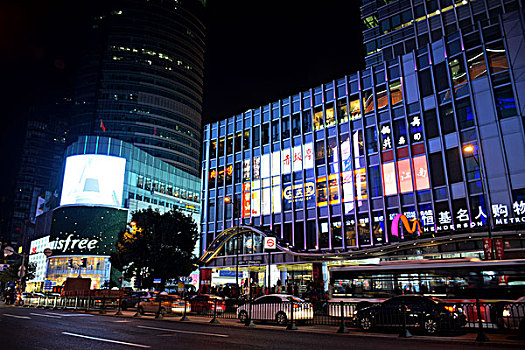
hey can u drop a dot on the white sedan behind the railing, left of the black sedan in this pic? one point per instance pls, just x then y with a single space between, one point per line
277 307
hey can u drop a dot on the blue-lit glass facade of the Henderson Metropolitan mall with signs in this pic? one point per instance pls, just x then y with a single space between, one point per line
372 164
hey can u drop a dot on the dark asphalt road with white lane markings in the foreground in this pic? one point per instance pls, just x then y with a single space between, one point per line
22 328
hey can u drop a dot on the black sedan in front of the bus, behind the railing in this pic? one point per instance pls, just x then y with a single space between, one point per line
430 315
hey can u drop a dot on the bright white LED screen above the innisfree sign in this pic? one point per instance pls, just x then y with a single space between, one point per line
93 179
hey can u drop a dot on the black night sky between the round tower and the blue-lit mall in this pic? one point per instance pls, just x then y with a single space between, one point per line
262 51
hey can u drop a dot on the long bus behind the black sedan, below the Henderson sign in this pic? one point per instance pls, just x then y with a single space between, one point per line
455 280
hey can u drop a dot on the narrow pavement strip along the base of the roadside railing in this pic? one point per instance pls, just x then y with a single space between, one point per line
496 339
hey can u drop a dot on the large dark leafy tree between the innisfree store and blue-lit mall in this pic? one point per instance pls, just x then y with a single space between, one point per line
156 246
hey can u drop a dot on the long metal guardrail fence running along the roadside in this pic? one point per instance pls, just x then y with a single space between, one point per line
472 316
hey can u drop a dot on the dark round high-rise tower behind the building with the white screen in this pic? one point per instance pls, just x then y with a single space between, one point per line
141 78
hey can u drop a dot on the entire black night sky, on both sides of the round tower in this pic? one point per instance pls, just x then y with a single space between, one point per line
257 52
